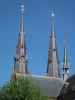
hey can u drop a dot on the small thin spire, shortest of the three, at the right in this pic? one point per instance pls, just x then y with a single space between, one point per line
66 65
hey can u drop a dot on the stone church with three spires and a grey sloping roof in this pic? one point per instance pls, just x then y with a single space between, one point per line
53 71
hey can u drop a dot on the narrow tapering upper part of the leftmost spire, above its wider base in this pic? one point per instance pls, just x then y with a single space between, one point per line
21 46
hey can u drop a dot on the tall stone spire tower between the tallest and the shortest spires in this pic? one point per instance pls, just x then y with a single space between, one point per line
53 62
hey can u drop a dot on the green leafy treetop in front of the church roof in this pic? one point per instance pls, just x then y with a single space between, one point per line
21 89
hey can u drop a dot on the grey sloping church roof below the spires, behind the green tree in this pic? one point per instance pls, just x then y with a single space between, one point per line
49 86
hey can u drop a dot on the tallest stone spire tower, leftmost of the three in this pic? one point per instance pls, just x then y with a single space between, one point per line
20 63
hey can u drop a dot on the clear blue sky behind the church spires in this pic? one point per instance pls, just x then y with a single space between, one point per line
37 28
